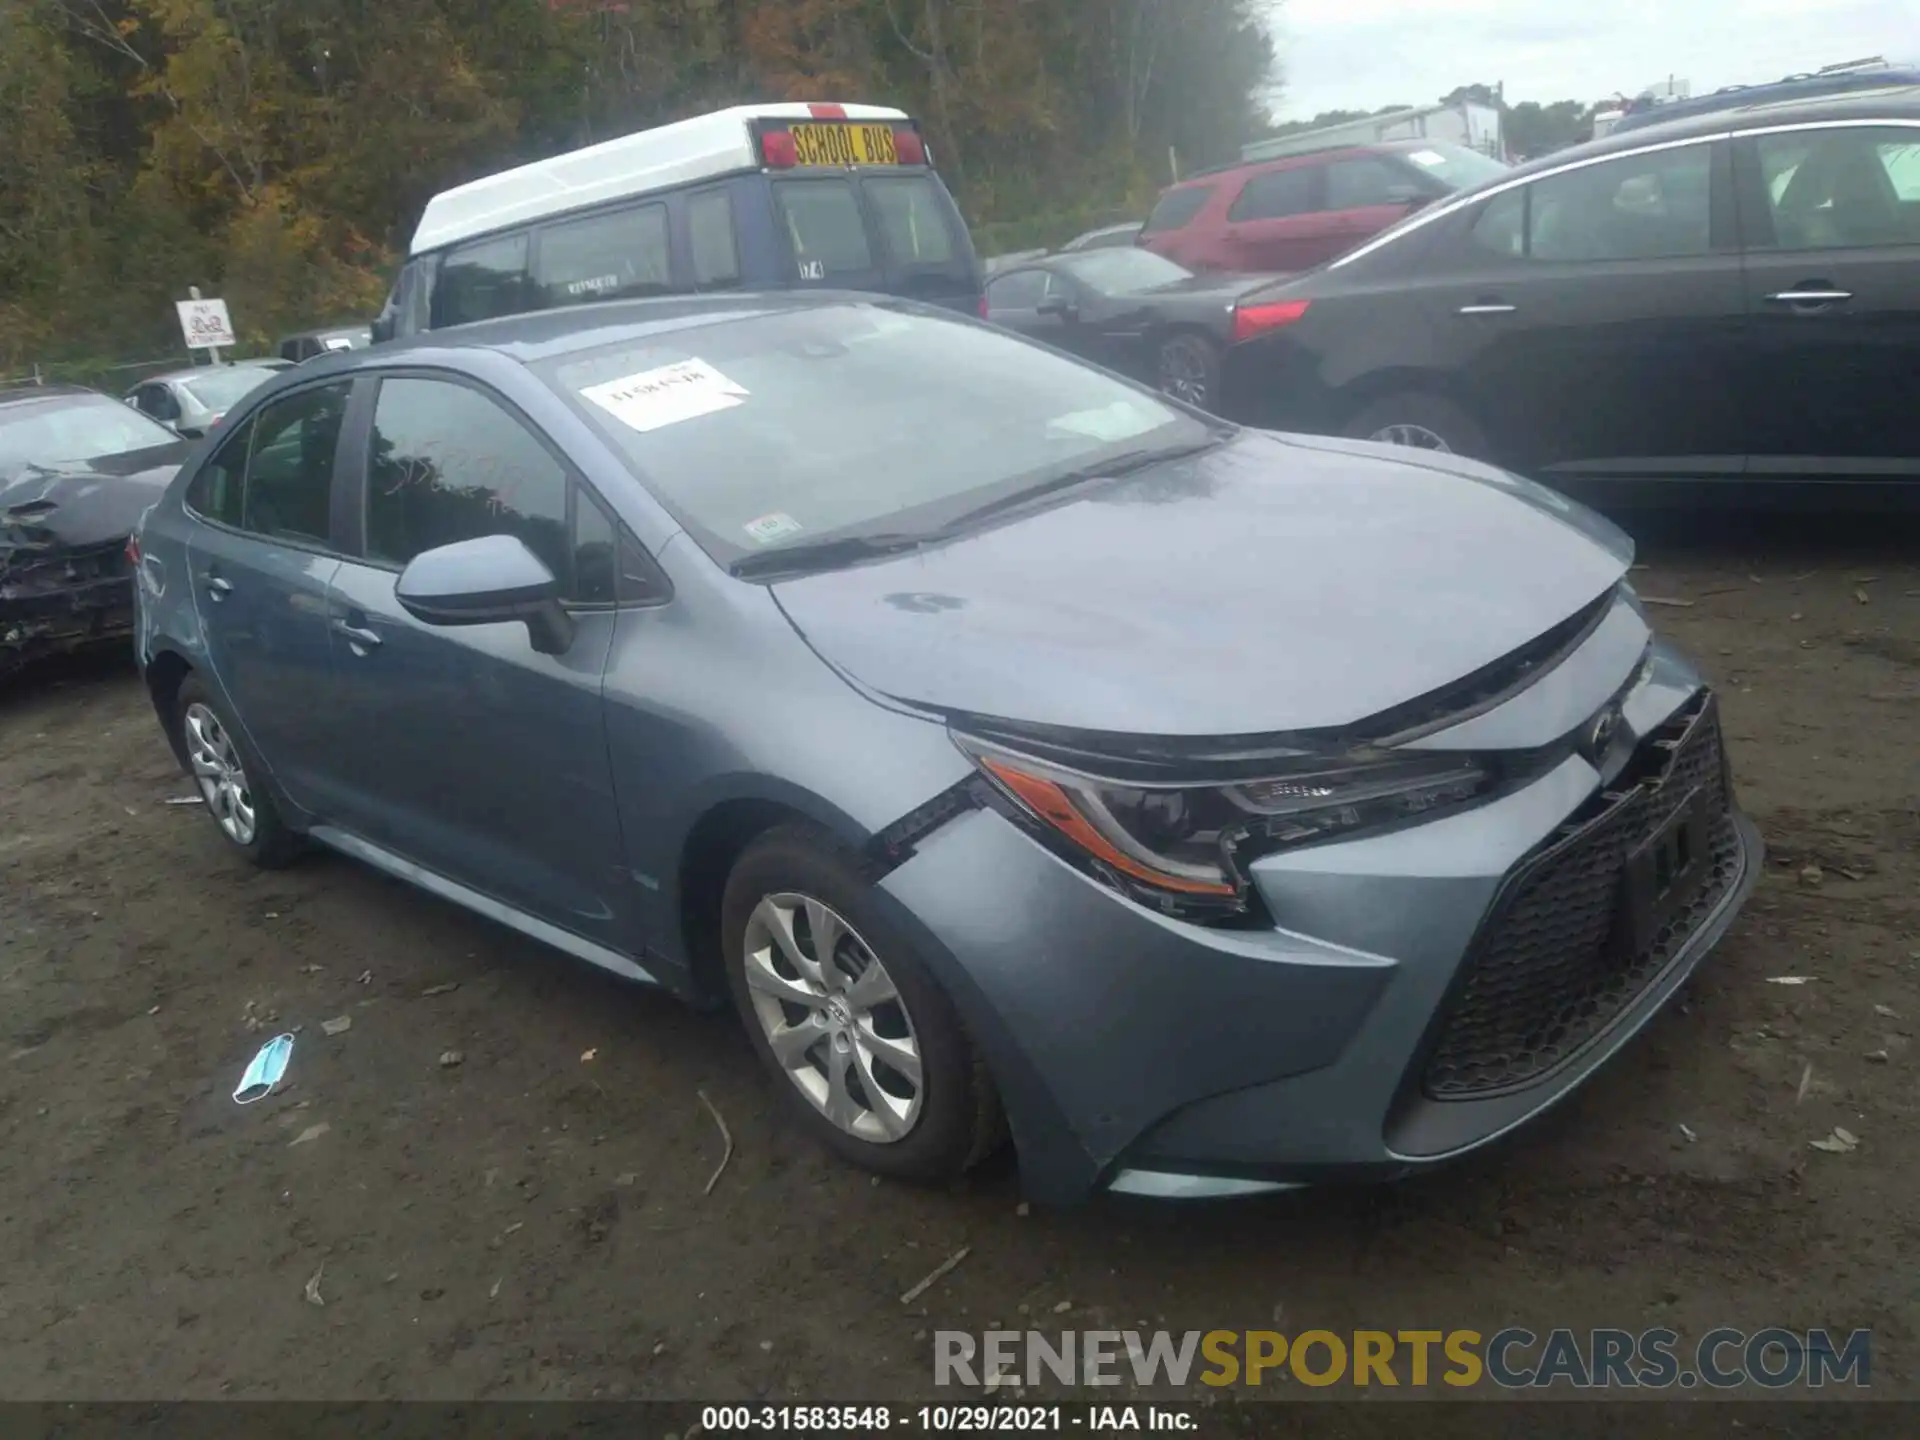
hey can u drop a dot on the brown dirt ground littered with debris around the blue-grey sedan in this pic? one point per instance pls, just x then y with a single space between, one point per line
531 1222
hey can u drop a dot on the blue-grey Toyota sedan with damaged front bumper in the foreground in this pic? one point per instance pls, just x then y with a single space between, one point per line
1015 748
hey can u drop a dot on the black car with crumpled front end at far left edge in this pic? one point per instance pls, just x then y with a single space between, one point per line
76 471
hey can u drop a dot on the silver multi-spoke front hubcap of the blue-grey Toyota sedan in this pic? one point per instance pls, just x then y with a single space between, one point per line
834 1019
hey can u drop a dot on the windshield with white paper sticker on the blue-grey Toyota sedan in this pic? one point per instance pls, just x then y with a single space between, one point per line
852 420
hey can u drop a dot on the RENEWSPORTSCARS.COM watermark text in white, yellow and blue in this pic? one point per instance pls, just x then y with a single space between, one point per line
1512 1358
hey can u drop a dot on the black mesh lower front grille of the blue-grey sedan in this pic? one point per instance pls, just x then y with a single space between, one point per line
1552 969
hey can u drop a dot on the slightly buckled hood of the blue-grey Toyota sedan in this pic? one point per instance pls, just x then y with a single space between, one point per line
1272 585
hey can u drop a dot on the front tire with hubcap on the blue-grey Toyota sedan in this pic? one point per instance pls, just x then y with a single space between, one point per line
788 884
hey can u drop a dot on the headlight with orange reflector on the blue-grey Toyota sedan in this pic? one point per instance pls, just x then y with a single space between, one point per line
1188 842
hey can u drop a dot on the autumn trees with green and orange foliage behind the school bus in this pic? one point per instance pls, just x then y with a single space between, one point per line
279 151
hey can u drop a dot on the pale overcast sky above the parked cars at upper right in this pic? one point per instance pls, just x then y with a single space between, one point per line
1362 55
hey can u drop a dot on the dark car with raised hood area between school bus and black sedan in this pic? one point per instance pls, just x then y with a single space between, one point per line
1130 310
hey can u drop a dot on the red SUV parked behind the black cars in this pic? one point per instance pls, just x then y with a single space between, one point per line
1301 212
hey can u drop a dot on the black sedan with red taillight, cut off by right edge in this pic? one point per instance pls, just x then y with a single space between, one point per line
1706 308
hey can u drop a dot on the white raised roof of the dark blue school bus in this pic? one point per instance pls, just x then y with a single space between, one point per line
631 166
